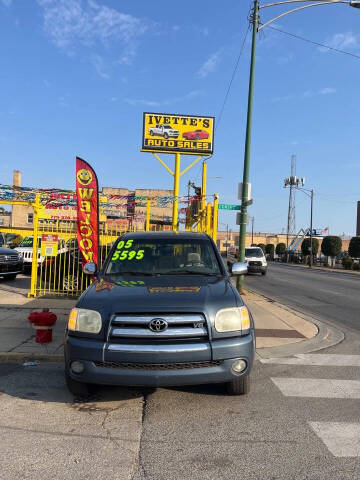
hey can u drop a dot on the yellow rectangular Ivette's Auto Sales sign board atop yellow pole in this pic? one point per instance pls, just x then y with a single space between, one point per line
163 132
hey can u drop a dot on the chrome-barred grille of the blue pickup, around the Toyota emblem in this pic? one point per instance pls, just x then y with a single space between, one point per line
137 327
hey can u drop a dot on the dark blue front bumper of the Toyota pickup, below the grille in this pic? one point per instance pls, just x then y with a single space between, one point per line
192 371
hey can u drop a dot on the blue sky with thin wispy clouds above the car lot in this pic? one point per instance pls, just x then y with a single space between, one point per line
76 76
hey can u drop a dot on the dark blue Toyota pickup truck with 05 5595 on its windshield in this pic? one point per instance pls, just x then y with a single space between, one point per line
162 311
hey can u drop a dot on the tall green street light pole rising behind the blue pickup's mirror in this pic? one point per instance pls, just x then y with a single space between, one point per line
244 193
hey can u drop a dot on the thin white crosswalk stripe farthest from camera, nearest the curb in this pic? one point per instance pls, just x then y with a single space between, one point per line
316 360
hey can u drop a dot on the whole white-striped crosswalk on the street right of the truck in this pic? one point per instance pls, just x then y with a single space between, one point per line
341 438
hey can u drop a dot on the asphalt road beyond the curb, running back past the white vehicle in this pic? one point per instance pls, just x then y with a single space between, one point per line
324 295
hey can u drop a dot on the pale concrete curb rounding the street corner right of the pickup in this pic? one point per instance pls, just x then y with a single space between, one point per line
326 337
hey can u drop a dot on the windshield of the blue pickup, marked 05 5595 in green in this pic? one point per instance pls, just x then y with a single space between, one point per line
163 257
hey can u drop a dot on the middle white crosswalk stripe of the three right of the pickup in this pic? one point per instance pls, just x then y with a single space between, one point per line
318 387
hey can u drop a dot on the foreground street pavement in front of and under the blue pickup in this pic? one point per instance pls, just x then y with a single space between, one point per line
278 431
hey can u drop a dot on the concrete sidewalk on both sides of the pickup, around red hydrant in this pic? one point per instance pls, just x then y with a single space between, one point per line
275 326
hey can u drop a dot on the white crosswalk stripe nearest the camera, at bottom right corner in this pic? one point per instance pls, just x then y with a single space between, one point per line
342 439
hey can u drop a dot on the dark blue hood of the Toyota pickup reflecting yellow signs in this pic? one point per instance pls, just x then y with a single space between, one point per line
131 294
